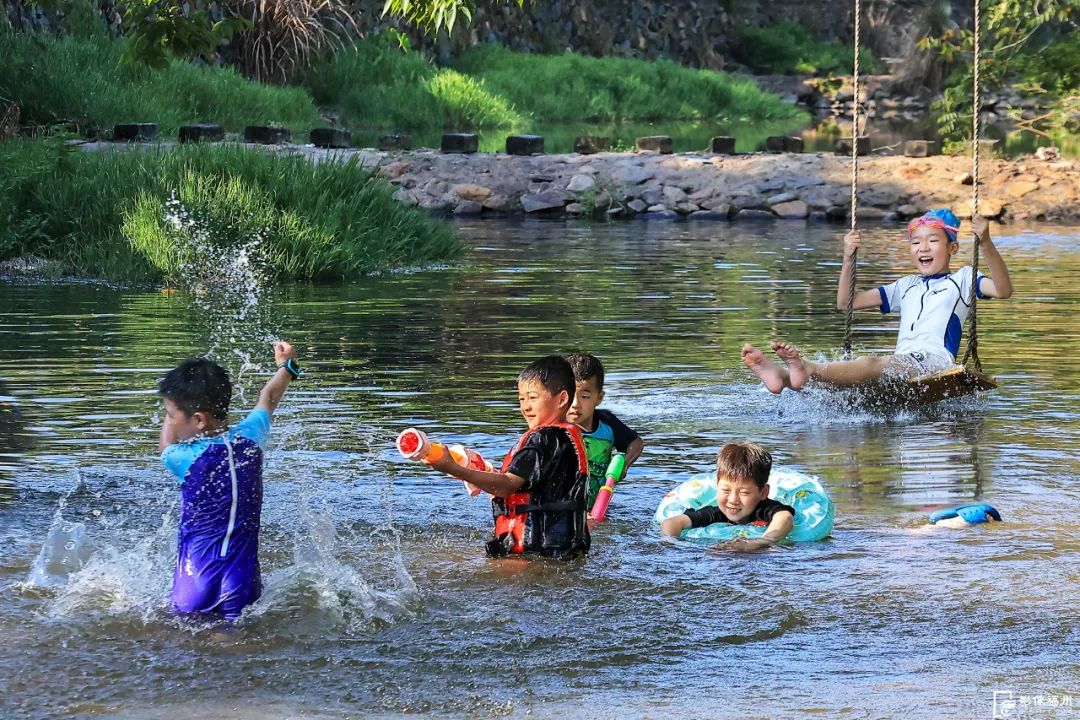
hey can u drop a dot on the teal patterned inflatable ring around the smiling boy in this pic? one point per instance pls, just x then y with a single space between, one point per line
814 510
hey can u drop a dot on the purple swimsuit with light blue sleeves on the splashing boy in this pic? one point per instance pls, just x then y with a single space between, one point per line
218 564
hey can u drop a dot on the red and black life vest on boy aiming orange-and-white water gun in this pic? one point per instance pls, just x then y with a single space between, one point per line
547 525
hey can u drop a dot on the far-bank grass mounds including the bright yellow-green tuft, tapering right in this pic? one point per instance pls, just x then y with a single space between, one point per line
491 87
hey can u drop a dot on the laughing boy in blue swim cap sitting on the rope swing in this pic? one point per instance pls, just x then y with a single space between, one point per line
933 306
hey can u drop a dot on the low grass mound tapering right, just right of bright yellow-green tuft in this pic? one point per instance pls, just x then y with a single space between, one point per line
575 88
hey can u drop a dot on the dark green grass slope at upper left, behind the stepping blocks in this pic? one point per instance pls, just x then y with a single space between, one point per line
83 80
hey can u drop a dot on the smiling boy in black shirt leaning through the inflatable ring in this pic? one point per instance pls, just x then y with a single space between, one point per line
742 497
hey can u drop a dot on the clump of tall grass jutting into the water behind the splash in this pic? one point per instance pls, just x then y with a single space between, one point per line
144 215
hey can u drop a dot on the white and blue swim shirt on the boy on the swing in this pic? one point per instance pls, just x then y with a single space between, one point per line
933 311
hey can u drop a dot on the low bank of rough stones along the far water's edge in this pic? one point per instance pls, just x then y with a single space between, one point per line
731 187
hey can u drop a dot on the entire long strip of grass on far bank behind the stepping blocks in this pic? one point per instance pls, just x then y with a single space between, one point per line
373 86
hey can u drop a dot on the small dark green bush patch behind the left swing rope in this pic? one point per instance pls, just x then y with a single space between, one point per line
788 48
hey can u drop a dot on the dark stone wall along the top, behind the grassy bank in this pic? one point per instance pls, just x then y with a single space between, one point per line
694 33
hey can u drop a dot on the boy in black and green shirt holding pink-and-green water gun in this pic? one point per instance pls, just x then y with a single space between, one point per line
604 434
